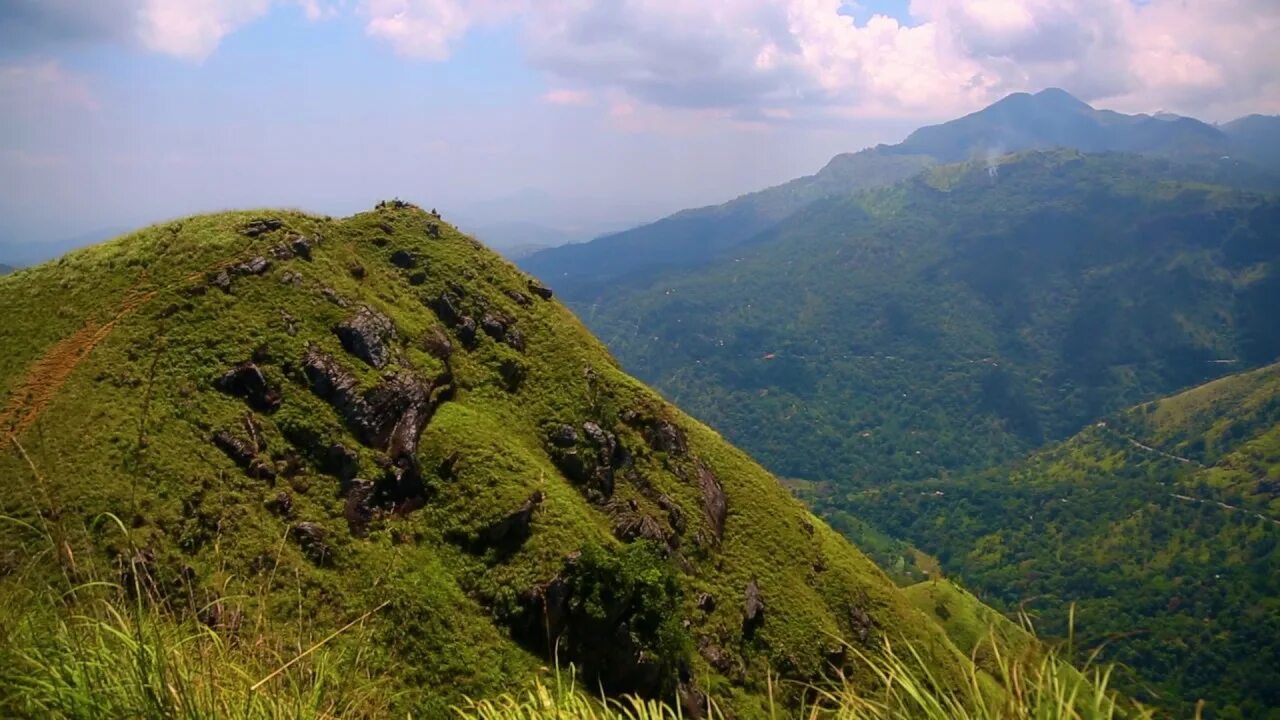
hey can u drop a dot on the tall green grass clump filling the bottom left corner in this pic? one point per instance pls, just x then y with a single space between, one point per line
103 649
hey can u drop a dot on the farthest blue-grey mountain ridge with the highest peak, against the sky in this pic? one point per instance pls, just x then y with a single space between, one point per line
1048 120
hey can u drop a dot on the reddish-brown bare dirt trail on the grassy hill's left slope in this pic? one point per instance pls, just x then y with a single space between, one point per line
48 375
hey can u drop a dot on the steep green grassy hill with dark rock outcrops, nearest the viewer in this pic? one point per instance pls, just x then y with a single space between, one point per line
313 421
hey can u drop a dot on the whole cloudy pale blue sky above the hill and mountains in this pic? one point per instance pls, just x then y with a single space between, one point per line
121 113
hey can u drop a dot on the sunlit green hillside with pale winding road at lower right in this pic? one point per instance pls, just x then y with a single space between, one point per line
1162 525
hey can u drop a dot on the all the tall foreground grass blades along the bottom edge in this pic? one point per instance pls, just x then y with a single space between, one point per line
102 649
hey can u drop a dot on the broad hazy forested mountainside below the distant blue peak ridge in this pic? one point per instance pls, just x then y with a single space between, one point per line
961 318
